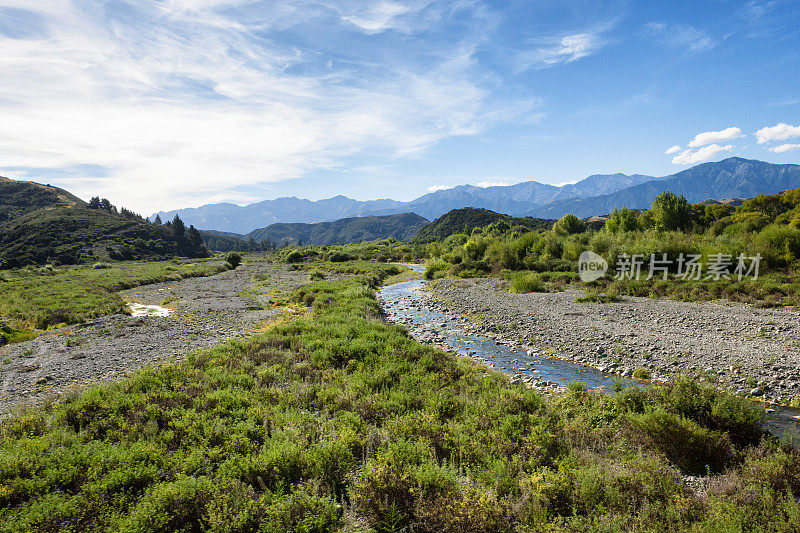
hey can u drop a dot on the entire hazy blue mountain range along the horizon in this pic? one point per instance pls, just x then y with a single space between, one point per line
597 194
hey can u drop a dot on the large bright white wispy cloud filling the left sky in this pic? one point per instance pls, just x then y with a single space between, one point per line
188 108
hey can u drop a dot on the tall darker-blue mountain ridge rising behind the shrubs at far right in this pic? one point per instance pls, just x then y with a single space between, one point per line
731 178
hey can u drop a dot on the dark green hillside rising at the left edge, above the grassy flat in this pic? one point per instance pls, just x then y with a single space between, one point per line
40 224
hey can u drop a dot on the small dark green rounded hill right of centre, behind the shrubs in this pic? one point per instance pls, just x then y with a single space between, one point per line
466 219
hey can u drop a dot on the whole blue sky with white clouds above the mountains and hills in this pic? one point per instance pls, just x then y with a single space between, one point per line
164 104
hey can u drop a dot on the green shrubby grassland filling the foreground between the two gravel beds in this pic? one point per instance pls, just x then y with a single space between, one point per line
336 421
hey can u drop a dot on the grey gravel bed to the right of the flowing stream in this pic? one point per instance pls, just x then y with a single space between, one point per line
748 350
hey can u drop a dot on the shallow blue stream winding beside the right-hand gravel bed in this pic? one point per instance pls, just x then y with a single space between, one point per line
402 304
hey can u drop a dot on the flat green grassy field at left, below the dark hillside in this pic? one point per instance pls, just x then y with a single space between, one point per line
33 299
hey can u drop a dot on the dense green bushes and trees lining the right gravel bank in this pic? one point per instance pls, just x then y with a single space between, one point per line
767 225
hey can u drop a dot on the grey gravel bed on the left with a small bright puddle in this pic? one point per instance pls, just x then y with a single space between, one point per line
205 312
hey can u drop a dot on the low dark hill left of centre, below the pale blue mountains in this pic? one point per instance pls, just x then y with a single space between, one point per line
402 227
